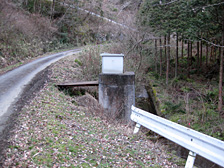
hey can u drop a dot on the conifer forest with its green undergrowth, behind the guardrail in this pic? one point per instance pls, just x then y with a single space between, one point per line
188 42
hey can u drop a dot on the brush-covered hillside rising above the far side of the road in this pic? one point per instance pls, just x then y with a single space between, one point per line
31 28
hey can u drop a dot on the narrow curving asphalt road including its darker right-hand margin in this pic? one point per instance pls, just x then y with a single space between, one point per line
21 81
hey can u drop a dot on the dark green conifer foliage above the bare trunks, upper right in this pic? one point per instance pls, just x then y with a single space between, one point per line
186 17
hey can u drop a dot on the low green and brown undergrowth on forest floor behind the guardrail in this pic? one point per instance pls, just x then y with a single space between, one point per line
190 103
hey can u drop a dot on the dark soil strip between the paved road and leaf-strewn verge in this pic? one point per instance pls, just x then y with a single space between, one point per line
28 94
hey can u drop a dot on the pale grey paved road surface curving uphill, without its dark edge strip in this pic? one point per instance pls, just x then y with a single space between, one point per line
13 84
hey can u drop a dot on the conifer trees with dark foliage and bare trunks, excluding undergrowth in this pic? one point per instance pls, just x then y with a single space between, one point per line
189 22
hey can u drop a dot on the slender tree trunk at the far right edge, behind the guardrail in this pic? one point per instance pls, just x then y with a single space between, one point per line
221 72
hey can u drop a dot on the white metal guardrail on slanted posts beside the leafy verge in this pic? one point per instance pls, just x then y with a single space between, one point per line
198 143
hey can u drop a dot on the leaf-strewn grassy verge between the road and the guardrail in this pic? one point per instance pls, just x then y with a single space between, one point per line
53 130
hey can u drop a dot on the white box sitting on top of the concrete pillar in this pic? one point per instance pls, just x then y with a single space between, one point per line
112 63
